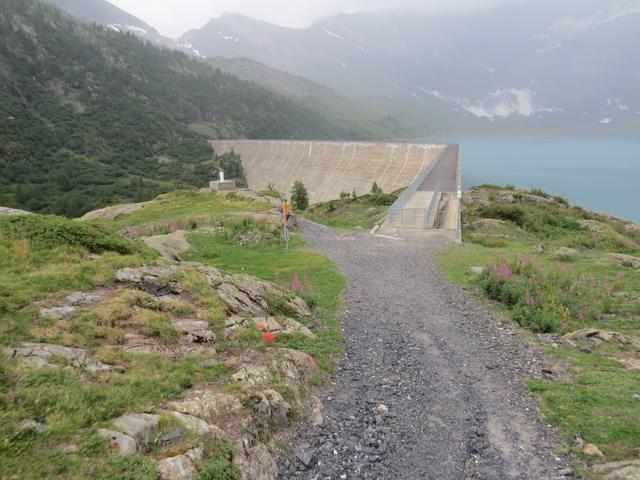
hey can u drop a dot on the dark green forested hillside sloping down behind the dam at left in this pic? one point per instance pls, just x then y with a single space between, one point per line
90 117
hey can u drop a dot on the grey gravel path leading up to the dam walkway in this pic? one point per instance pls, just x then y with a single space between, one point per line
449 373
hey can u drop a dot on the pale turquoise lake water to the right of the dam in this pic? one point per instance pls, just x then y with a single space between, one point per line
602 175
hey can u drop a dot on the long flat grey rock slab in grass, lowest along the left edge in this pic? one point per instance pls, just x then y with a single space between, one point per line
48 355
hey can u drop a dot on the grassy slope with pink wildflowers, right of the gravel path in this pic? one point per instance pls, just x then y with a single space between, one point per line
562 294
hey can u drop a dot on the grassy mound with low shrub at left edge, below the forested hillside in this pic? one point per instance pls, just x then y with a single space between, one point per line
40 256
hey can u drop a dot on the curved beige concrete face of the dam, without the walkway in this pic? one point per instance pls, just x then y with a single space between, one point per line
329 168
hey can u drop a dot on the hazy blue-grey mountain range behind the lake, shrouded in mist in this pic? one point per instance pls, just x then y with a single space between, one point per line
536 67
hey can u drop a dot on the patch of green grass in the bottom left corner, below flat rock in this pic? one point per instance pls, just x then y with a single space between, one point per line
73 408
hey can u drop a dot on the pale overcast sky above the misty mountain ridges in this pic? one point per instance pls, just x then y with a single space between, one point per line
174 17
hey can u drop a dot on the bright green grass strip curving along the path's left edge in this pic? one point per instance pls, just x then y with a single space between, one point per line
275 264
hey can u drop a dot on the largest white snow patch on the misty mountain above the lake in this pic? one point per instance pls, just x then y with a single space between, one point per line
501 103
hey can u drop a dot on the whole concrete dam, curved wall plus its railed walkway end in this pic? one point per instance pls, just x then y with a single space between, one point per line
429 172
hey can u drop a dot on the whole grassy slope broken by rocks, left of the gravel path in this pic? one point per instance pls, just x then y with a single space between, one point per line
47 257
